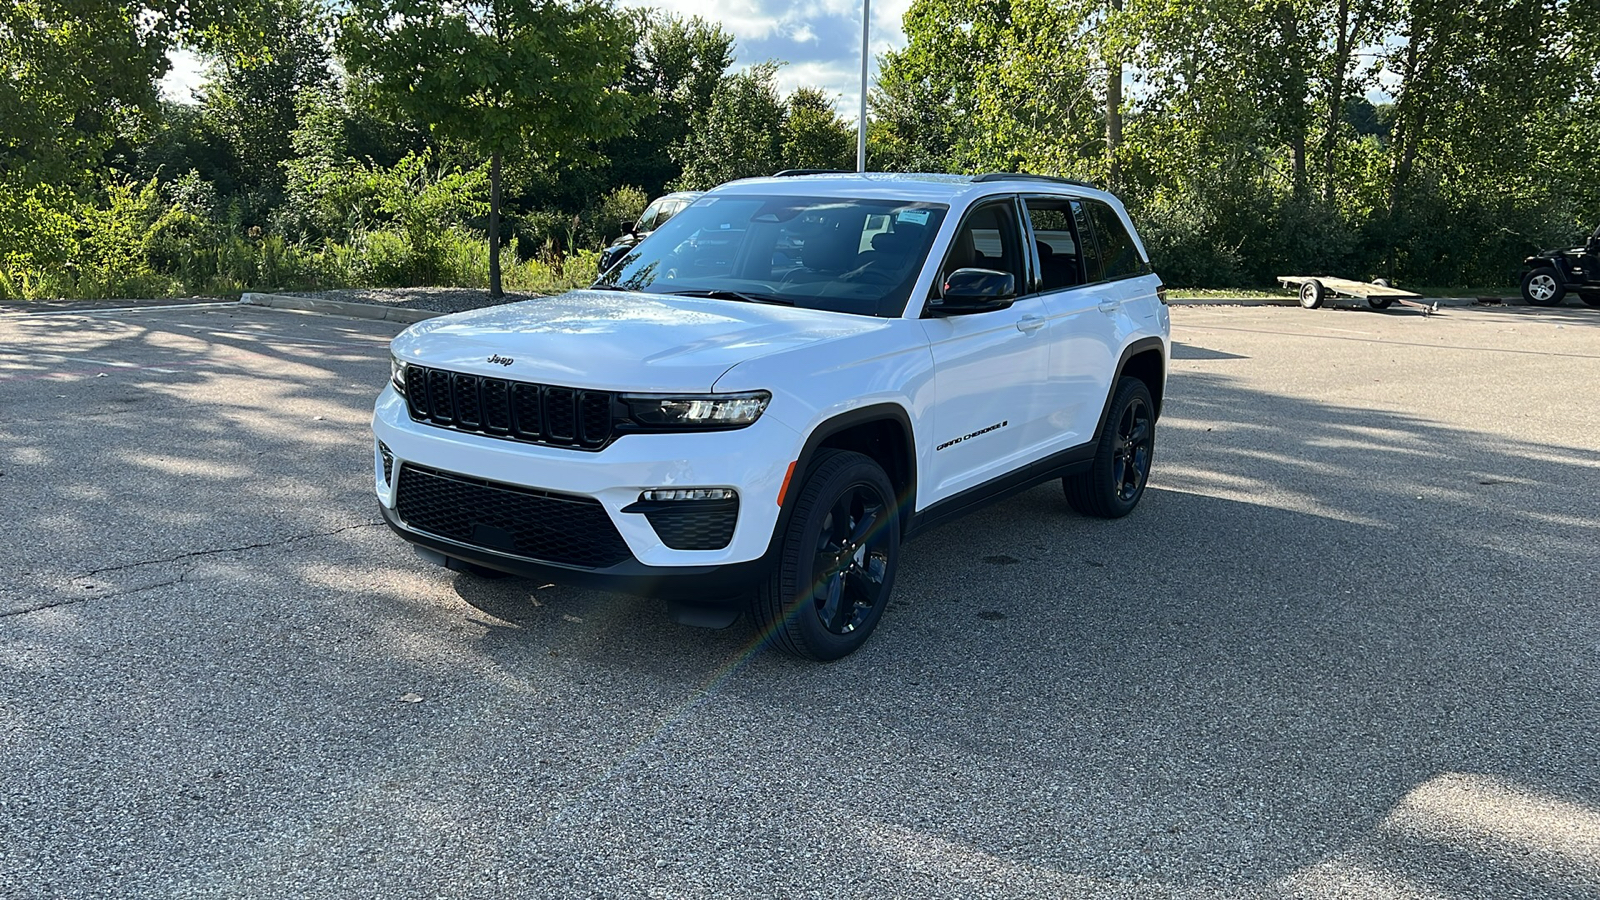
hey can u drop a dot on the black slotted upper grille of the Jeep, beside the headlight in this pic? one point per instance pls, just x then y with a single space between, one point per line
516 411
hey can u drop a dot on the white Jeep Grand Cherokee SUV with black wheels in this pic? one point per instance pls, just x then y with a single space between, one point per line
766 398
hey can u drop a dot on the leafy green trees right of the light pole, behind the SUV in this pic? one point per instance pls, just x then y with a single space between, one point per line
1250 142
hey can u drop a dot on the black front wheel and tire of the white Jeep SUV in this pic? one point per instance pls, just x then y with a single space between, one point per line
836 566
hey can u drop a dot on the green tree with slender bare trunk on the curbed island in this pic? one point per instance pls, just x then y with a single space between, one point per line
506 78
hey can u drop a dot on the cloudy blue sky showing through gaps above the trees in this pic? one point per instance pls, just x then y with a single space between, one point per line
818 42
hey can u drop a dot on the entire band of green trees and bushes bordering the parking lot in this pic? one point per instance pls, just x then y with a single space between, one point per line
1422 140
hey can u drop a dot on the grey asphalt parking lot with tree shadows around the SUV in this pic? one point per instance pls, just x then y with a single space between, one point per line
1350 646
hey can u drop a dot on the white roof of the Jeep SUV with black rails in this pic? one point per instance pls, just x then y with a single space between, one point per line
932 188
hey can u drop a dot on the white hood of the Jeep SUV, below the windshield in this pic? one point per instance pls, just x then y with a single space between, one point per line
620 342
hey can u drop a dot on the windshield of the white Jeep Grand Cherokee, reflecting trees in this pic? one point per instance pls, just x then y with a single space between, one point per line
812 252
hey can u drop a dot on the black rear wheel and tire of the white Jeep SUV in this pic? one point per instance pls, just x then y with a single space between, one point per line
1116 478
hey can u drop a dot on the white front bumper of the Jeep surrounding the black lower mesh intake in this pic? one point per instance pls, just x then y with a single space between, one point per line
751 460
